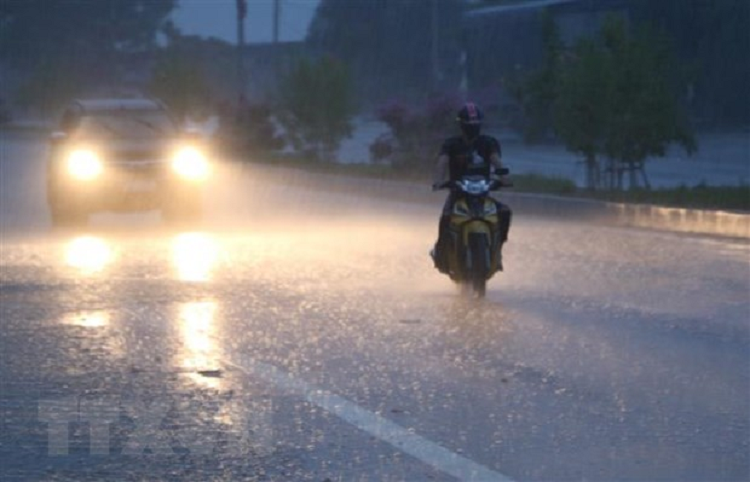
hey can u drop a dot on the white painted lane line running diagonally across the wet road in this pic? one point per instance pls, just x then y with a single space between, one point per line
410 443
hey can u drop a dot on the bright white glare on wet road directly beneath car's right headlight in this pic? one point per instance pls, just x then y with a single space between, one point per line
194 256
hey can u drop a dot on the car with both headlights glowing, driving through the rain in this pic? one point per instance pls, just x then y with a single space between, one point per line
123 155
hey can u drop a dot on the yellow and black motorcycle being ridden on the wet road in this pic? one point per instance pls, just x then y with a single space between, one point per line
474 248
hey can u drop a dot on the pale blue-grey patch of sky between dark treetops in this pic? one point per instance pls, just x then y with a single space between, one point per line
217 18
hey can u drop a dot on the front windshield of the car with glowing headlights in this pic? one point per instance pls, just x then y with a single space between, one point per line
126 124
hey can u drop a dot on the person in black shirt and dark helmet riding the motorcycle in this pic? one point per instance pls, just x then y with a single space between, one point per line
471 153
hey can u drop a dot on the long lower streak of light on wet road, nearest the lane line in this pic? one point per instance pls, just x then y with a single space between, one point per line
197 325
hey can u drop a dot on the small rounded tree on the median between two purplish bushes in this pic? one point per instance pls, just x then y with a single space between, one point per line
318 98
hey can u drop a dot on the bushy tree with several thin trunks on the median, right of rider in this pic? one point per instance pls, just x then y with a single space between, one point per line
616 100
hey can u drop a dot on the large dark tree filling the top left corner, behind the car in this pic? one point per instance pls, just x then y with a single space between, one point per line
77 43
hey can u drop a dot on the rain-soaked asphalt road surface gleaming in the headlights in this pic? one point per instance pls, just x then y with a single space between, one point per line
301 335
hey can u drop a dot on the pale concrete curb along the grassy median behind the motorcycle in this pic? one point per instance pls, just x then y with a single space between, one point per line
693 221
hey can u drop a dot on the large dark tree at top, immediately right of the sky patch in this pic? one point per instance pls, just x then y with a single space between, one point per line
388 44
